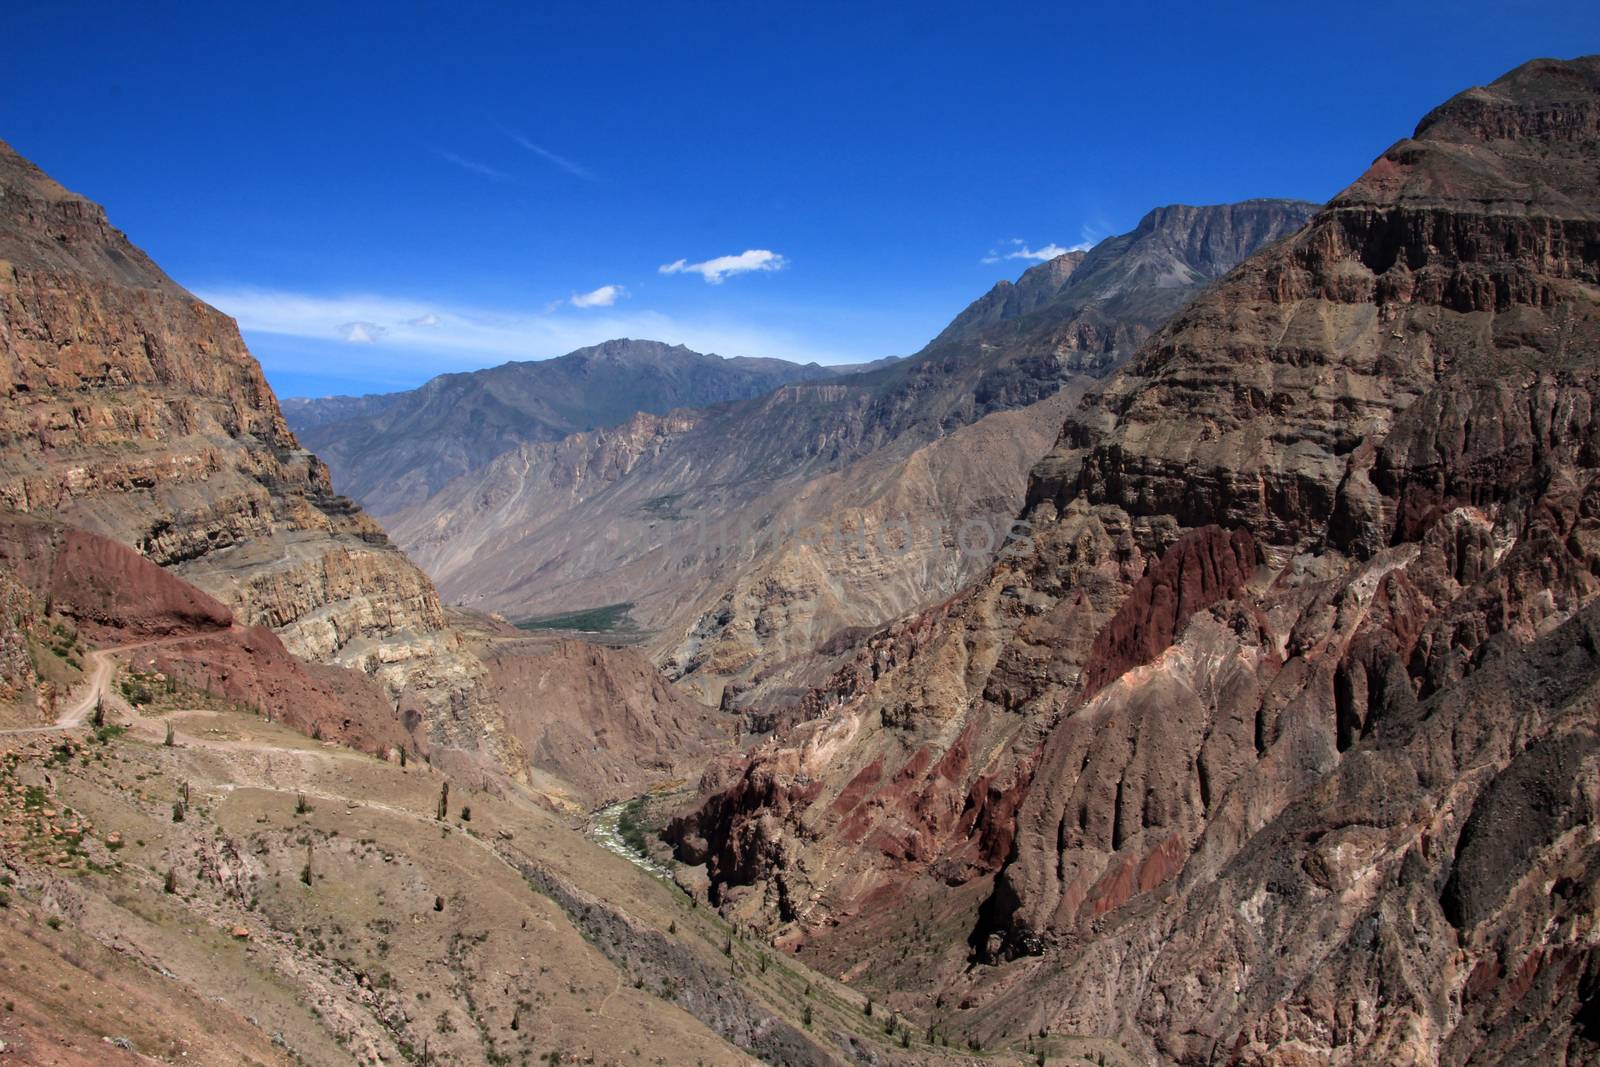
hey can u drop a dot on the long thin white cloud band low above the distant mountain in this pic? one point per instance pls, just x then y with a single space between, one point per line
476 337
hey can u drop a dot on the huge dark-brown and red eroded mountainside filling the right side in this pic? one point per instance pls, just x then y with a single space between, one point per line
1274 741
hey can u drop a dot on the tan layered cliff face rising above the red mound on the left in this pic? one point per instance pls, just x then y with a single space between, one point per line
134 410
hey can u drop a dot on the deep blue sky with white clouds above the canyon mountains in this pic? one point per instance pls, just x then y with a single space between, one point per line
382 194
